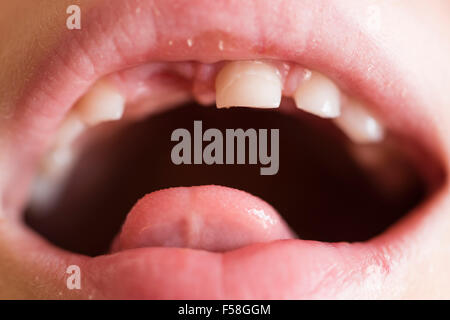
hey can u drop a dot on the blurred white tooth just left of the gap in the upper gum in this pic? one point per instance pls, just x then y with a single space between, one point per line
101 103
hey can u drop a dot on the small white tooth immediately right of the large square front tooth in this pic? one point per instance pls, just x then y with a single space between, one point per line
318 95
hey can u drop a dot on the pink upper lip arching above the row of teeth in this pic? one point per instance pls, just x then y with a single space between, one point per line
119 34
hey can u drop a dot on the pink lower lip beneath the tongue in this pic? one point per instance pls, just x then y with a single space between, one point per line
298 269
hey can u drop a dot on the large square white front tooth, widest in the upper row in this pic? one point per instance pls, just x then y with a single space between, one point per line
248 84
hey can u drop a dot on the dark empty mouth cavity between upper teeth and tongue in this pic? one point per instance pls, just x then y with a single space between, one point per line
320 190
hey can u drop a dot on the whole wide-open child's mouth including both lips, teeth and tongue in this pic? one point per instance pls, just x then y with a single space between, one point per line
358 171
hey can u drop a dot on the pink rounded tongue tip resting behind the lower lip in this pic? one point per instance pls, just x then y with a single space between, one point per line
210 218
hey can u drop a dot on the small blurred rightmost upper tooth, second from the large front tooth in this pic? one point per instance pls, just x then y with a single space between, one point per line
359 124
